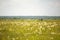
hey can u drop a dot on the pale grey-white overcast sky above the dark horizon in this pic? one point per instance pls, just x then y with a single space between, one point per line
29 7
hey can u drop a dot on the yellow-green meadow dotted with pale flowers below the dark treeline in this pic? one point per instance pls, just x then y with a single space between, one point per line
29 29
